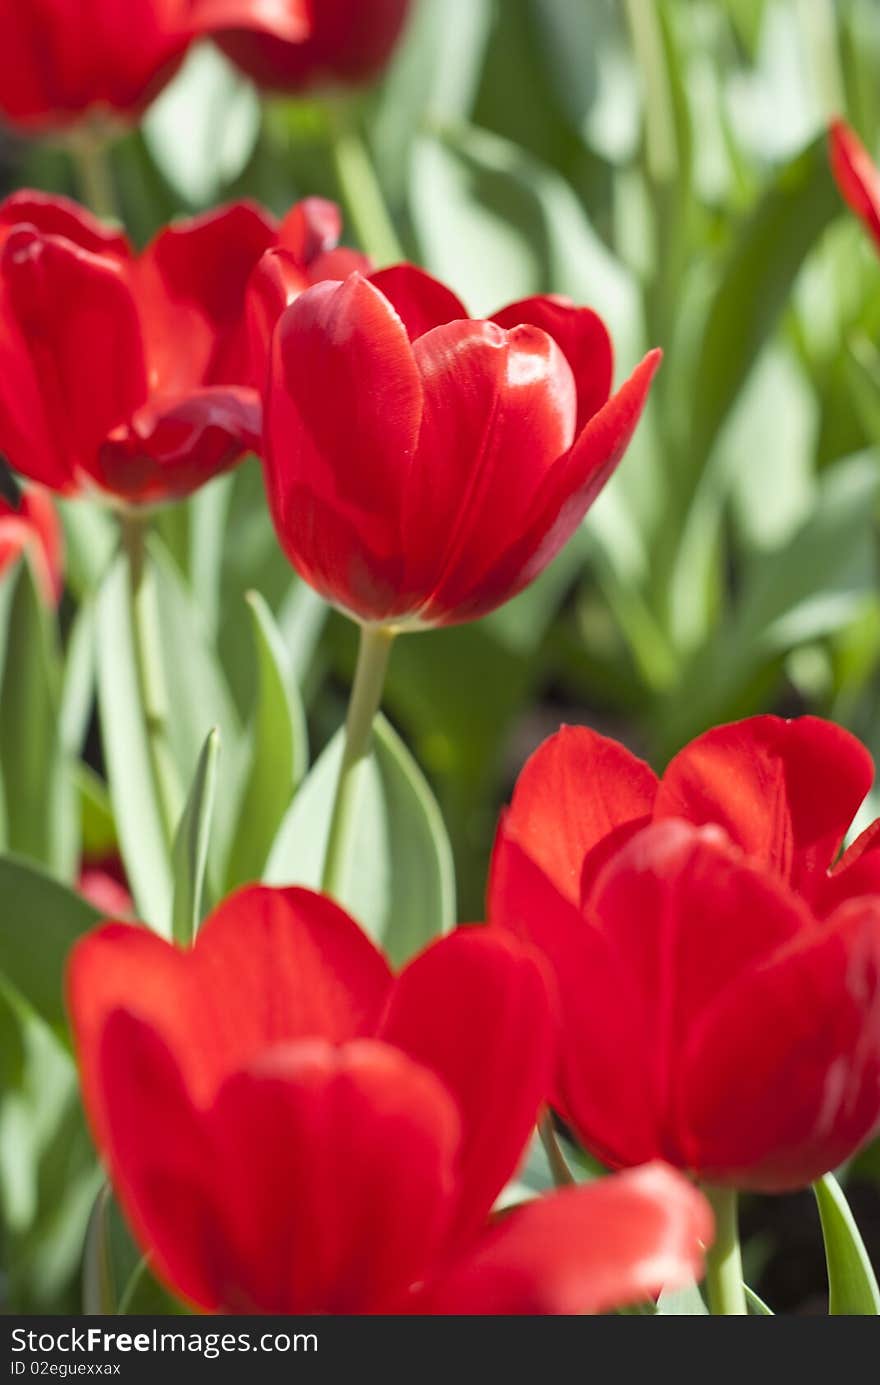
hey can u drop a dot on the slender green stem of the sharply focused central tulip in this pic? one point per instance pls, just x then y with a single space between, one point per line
373 656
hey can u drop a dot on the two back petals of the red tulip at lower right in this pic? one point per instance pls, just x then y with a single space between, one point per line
785 793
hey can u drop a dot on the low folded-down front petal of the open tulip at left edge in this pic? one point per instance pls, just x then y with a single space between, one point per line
173 448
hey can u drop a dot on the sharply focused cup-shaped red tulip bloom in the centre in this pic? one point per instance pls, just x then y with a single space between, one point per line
425 467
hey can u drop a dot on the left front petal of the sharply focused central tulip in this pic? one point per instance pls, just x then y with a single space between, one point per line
344 412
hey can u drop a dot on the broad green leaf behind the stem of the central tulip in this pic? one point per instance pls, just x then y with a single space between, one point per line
400 882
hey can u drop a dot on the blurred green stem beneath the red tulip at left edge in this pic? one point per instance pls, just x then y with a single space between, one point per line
149 674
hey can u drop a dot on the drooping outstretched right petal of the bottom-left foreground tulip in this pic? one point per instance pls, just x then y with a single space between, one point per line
587 1250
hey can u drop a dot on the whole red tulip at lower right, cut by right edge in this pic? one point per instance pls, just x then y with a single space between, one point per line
720 983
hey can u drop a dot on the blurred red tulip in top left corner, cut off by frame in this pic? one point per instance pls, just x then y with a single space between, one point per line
60 66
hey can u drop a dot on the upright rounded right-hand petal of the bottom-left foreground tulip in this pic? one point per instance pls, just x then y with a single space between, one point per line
497 1063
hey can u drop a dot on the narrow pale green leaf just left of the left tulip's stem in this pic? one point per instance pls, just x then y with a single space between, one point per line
137 805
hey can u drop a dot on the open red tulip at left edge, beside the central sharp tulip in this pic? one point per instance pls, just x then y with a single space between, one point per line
130 373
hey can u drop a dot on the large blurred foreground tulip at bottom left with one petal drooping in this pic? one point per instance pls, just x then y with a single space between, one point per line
290 1129
